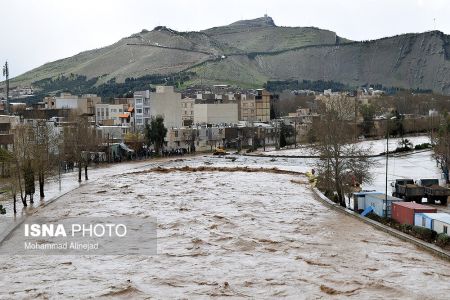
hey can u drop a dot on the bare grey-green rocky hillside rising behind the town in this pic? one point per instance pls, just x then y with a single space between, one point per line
249 53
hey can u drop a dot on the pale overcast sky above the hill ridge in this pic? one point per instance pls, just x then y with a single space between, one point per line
34 32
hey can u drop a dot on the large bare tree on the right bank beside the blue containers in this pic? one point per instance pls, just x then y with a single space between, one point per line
342 164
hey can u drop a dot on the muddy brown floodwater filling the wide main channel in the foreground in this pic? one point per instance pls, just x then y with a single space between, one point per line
239 234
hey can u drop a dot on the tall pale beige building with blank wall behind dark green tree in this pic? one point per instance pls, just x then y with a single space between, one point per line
166 102
